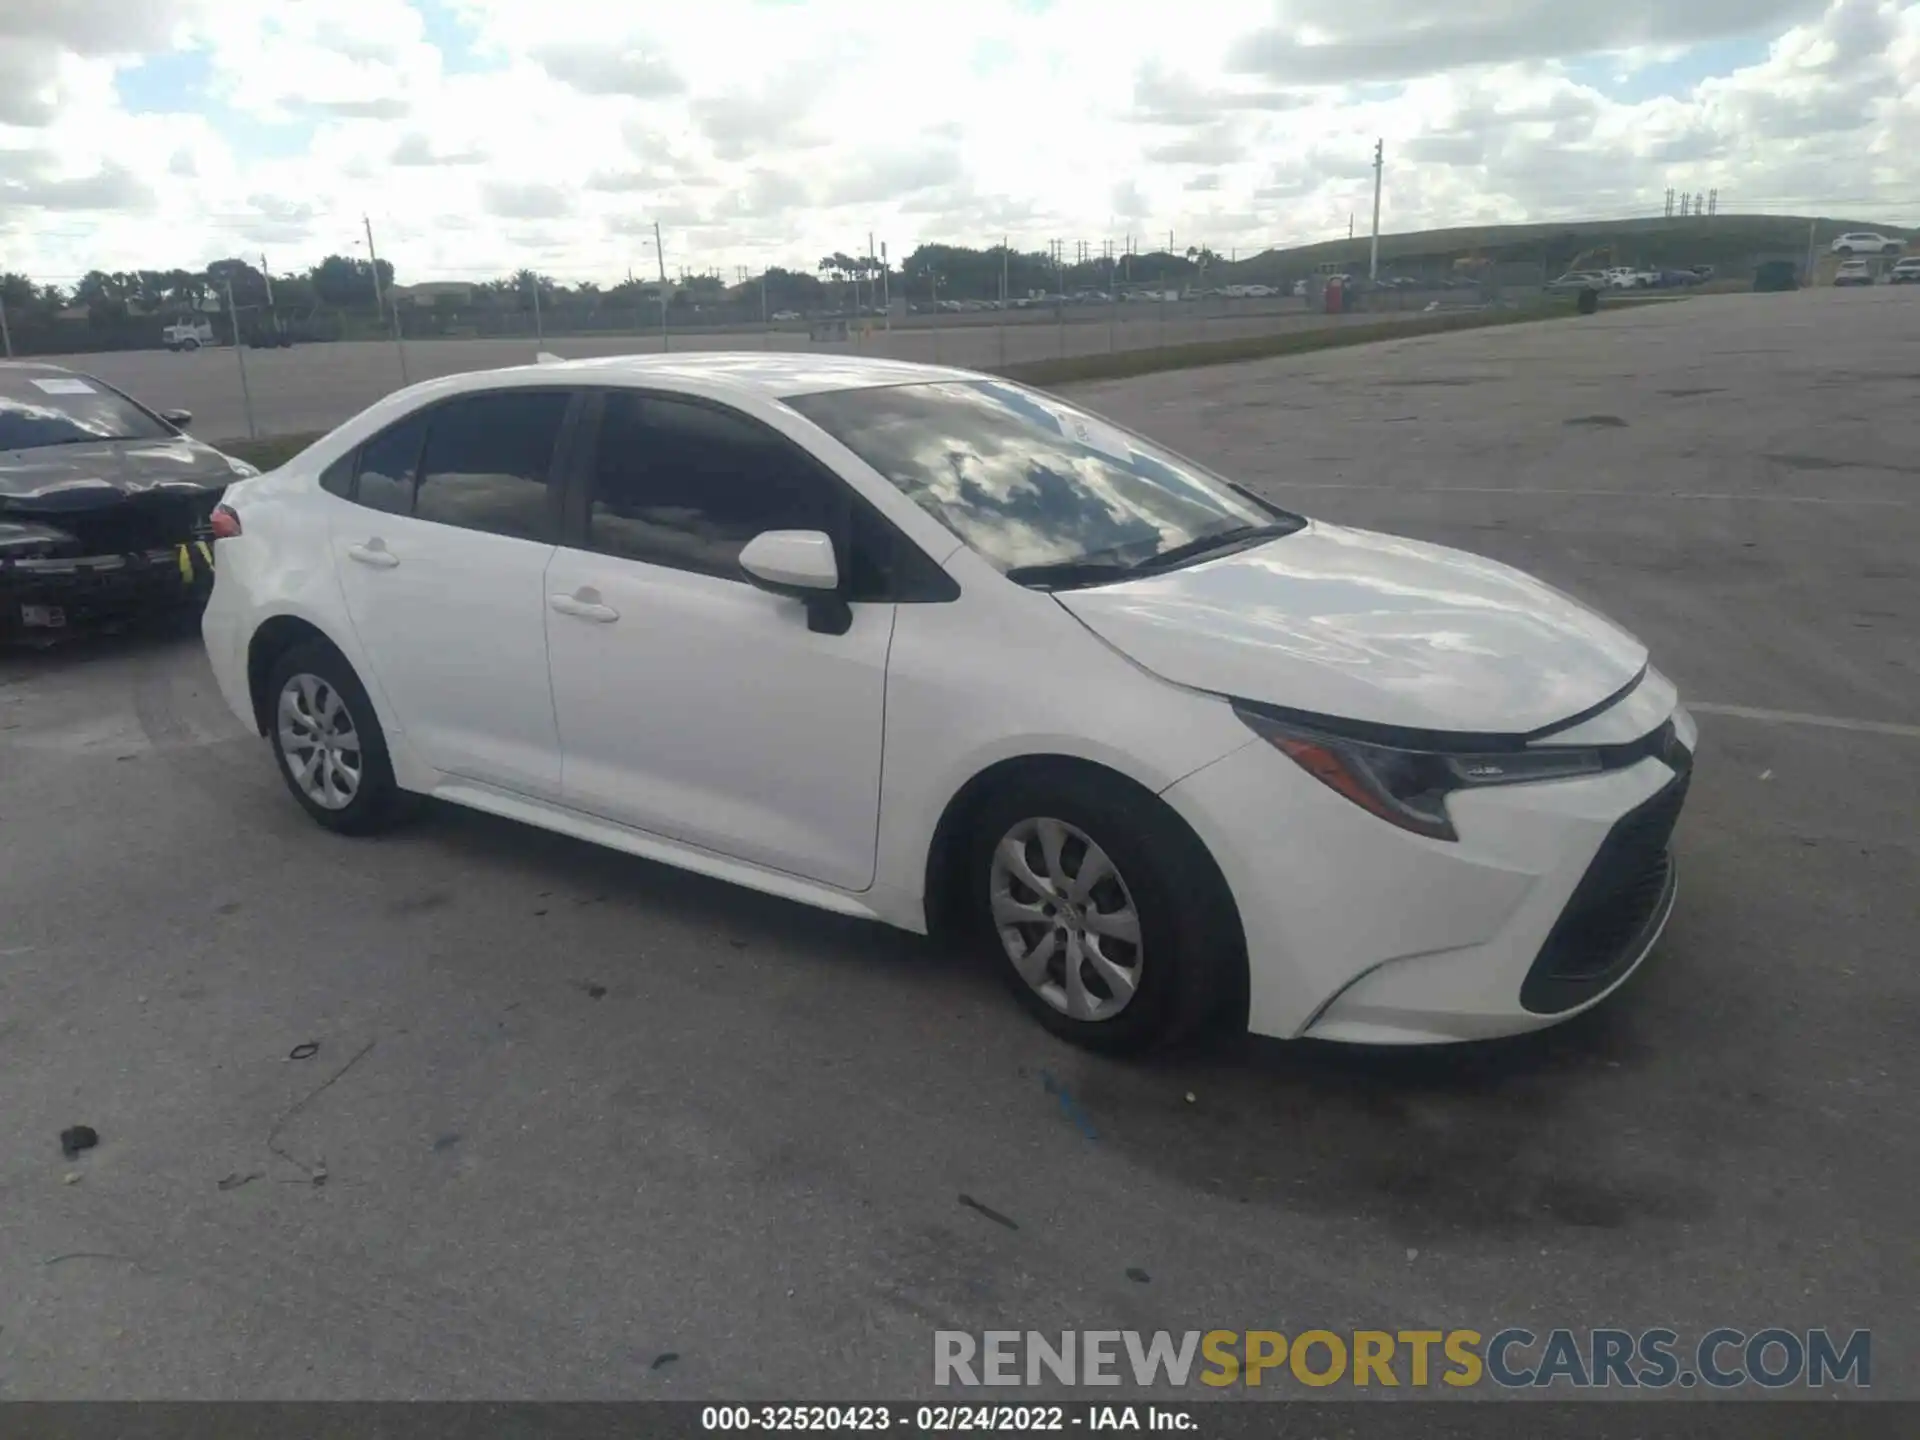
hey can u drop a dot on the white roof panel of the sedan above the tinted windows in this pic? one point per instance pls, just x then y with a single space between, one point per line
771 375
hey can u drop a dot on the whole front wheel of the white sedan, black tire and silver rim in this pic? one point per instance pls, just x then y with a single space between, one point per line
1103 913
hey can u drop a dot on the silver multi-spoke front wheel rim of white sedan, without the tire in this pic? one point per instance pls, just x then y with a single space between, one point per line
1067 919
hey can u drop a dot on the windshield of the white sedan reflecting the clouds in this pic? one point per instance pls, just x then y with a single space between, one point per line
1032 483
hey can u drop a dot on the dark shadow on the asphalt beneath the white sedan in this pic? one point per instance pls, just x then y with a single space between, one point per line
1500 1138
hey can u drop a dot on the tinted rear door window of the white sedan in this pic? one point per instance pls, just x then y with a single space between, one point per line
489 460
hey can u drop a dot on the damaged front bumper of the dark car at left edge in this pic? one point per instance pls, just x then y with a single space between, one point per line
55 598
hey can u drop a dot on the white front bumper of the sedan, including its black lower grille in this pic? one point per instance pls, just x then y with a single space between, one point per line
1362 932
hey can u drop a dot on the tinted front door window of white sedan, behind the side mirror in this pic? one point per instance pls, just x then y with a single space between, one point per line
688 485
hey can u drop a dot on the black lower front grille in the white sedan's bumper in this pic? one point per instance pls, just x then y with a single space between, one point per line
1614 911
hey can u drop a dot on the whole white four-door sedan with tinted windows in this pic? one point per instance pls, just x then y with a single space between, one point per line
936 650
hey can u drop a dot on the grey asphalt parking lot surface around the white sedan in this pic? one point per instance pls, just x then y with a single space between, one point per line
598 1130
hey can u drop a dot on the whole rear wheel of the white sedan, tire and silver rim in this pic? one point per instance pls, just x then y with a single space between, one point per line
329 746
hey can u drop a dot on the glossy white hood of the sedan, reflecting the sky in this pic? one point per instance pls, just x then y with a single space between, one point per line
1368 627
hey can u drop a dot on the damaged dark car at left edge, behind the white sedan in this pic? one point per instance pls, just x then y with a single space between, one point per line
105 508
